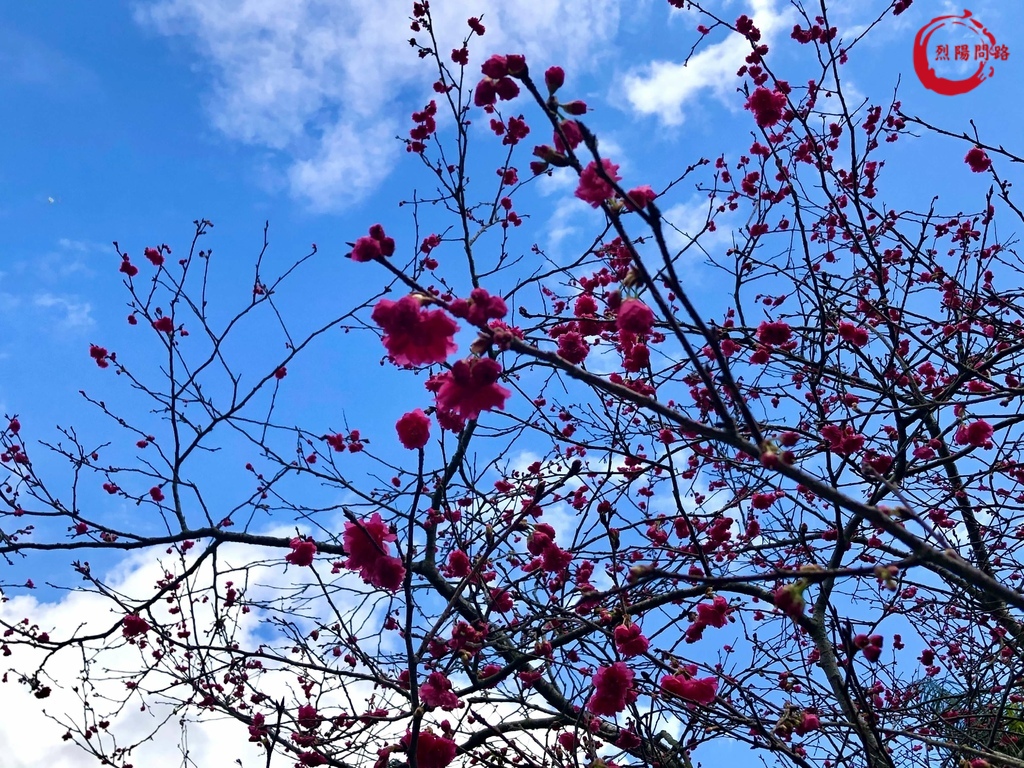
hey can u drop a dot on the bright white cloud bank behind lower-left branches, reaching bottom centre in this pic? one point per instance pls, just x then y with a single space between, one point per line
210 740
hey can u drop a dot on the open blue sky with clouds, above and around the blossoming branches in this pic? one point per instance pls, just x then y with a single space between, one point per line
125 121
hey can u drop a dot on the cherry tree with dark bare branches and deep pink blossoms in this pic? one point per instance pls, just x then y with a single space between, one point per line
619 524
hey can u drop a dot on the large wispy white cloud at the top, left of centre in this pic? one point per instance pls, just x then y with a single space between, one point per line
320 82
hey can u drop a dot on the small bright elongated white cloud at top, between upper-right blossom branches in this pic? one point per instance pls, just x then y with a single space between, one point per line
665 89
